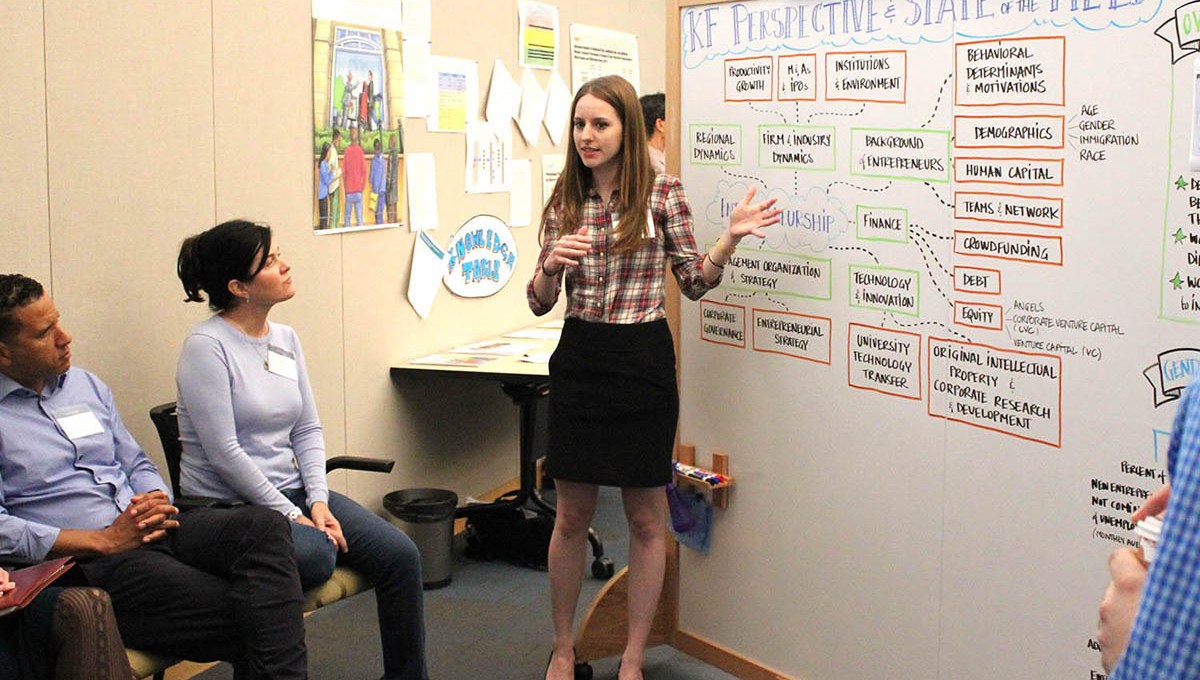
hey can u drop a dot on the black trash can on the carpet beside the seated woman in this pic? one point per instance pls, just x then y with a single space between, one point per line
428 517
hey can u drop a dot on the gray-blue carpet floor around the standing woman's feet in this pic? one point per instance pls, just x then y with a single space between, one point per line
491 623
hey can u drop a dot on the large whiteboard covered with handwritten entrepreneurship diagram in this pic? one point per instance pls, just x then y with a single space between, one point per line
947 380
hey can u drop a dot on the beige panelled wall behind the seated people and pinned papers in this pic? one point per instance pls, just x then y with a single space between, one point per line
133 124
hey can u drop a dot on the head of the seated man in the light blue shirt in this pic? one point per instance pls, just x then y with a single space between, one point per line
34 347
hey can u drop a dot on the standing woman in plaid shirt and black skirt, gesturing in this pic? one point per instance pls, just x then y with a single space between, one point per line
608 231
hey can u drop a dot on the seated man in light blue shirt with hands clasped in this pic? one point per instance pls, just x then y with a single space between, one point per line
209 585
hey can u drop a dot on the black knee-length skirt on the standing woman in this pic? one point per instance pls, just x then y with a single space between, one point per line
614 405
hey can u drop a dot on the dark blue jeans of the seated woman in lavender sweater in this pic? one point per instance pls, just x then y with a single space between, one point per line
389 558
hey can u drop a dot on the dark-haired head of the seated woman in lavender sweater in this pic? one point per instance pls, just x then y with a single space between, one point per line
233 264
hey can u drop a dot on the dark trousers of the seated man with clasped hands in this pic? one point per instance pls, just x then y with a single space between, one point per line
221 587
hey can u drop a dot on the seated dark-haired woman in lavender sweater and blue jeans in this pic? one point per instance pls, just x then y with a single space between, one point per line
249 428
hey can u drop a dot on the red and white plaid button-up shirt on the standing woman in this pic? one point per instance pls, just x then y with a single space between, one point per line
628 287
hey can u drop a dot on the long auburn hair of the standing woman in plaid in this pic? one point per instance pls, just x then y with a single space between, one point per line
637 178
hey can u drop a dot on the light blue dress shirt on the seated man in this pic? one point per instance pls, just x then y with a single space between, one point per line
50 482
